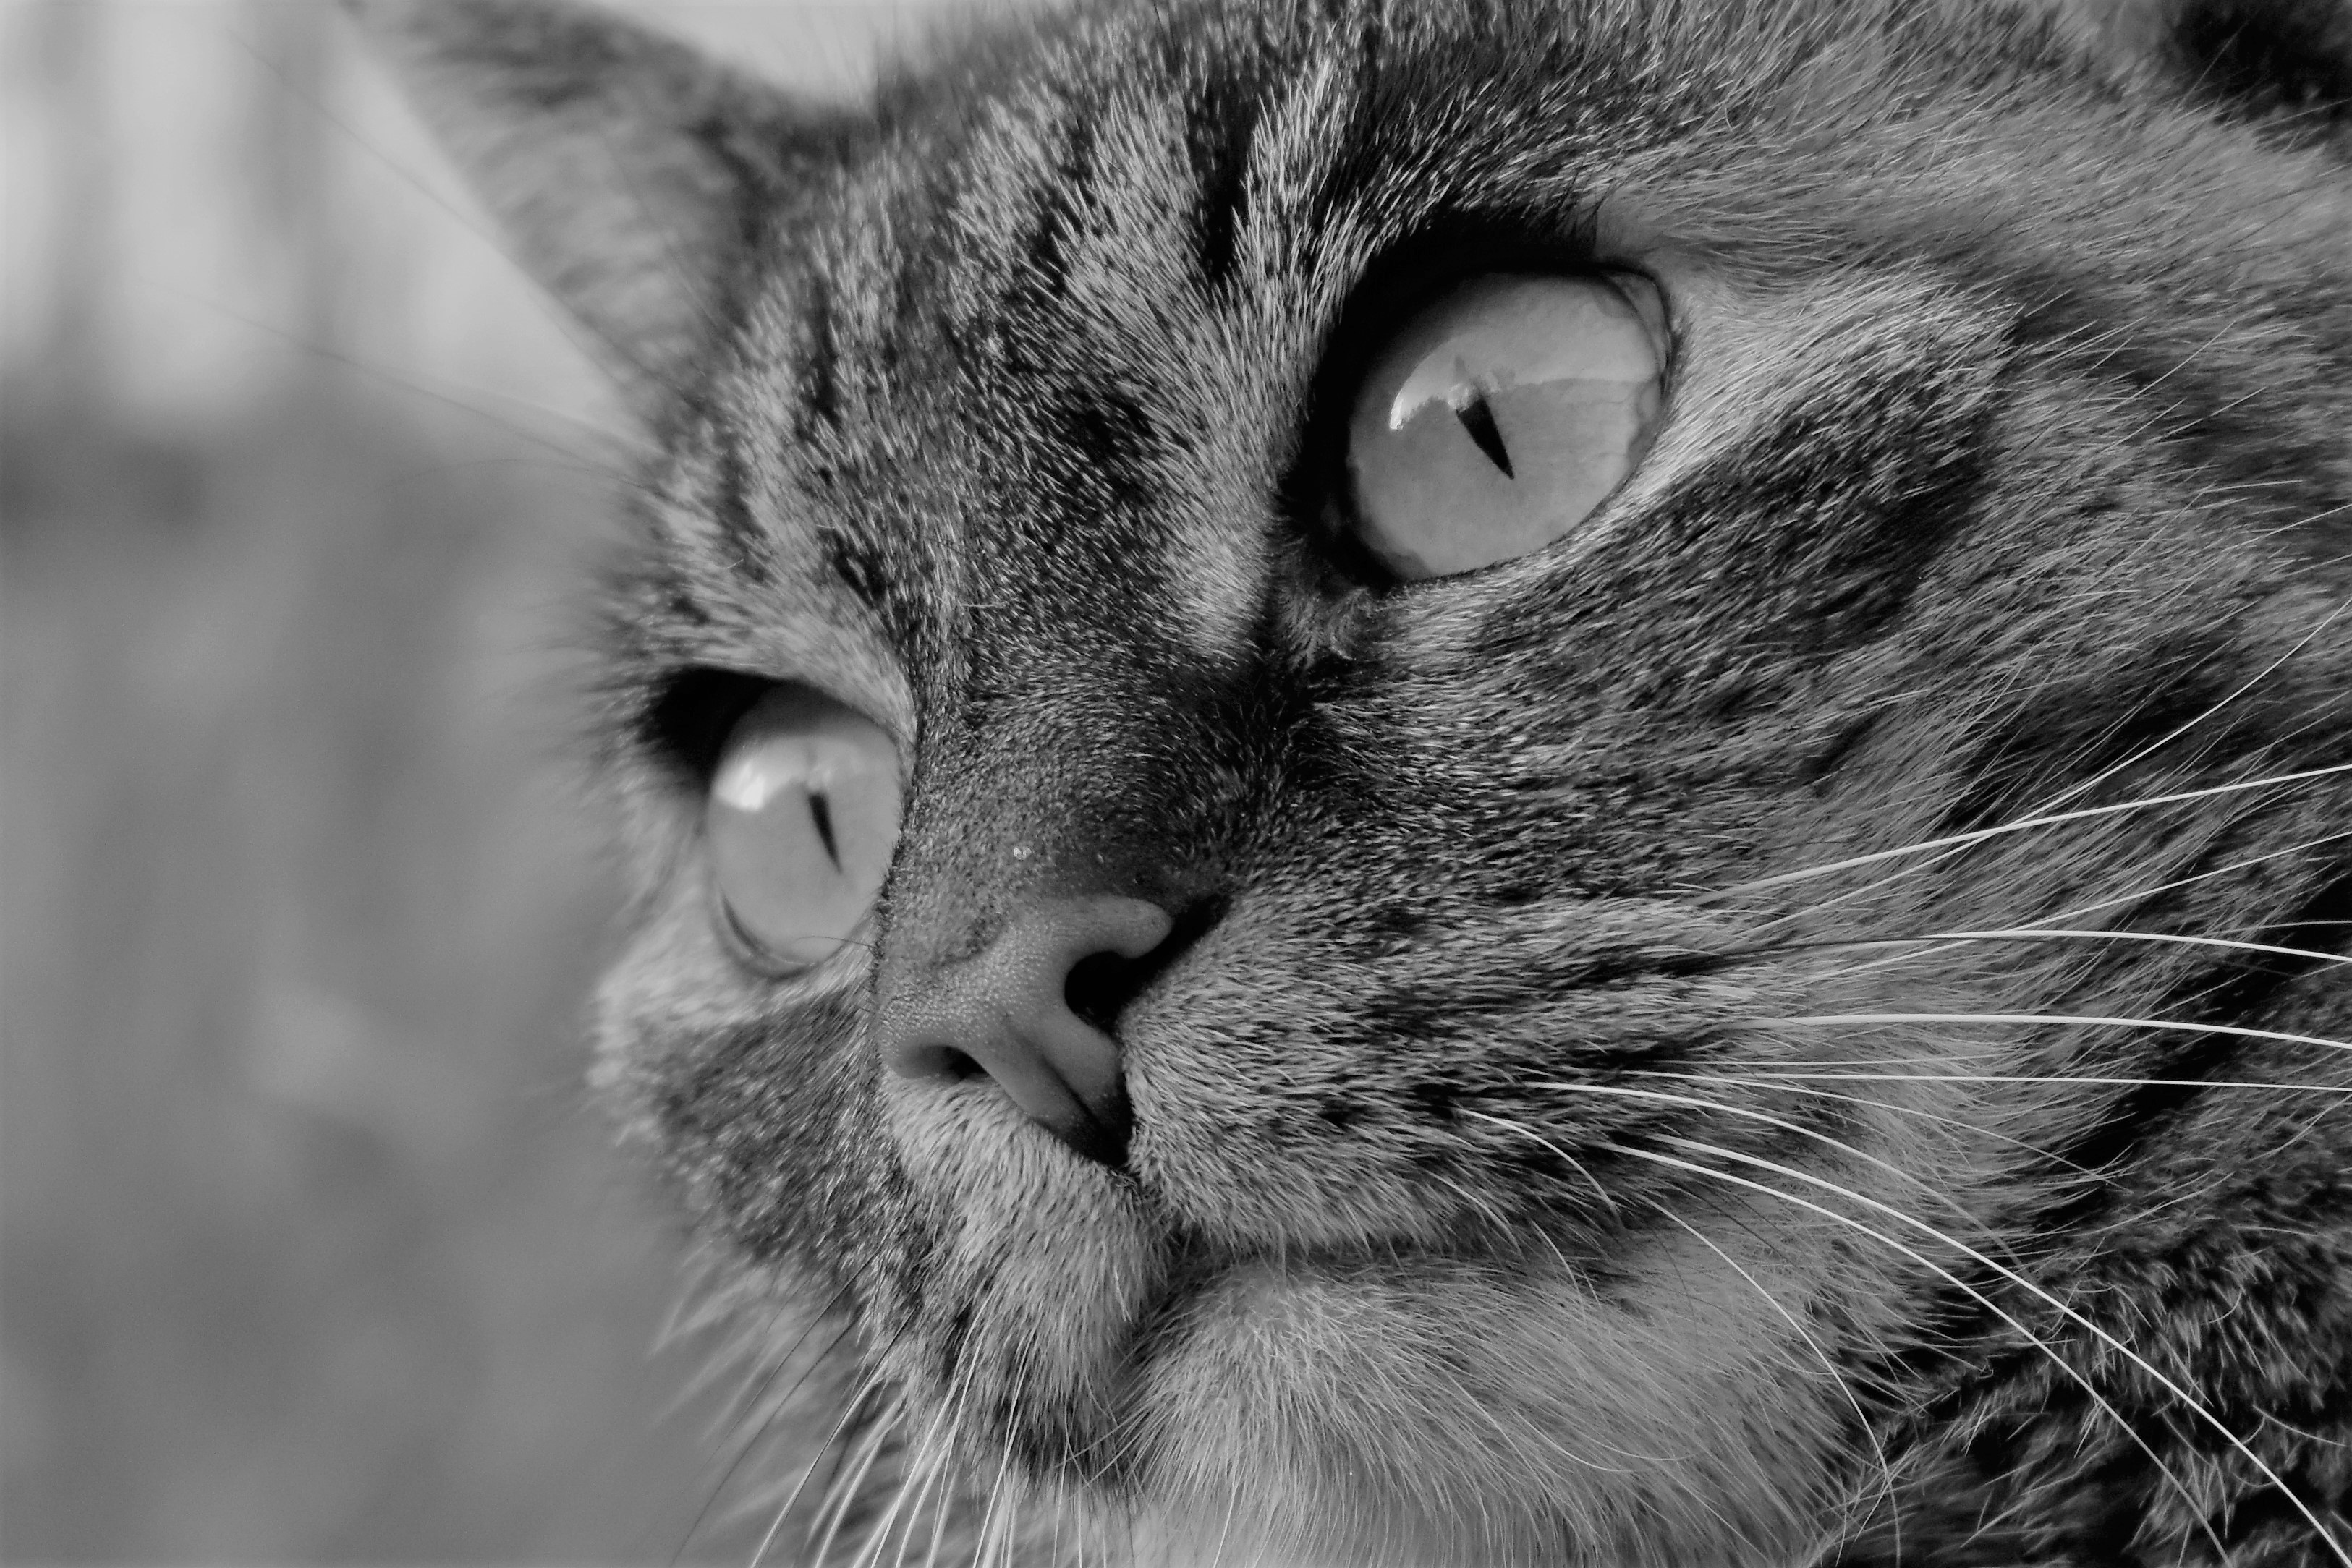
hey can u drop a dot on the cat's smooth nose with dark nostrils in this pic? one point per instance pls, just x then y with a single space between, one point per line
1031 1012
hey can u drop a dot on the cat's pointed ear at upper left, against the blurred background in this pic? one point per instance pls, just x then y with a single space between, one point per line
629 173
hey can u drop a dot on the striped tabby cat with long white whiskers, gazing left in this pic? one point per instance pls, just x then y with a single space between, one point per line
1490 782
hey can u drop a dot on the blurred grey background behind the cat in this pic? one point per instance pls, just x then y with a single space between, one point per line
312 1247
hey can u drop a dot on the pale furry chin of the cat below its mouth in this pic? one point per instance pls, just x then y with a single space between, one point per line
1448 1414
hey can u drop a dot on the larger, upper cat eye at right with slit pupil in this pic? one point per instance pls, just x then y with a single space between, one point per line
1502 417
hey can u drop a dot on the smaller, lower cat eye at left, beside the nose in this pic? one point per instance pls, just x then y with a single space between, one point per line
801 822
